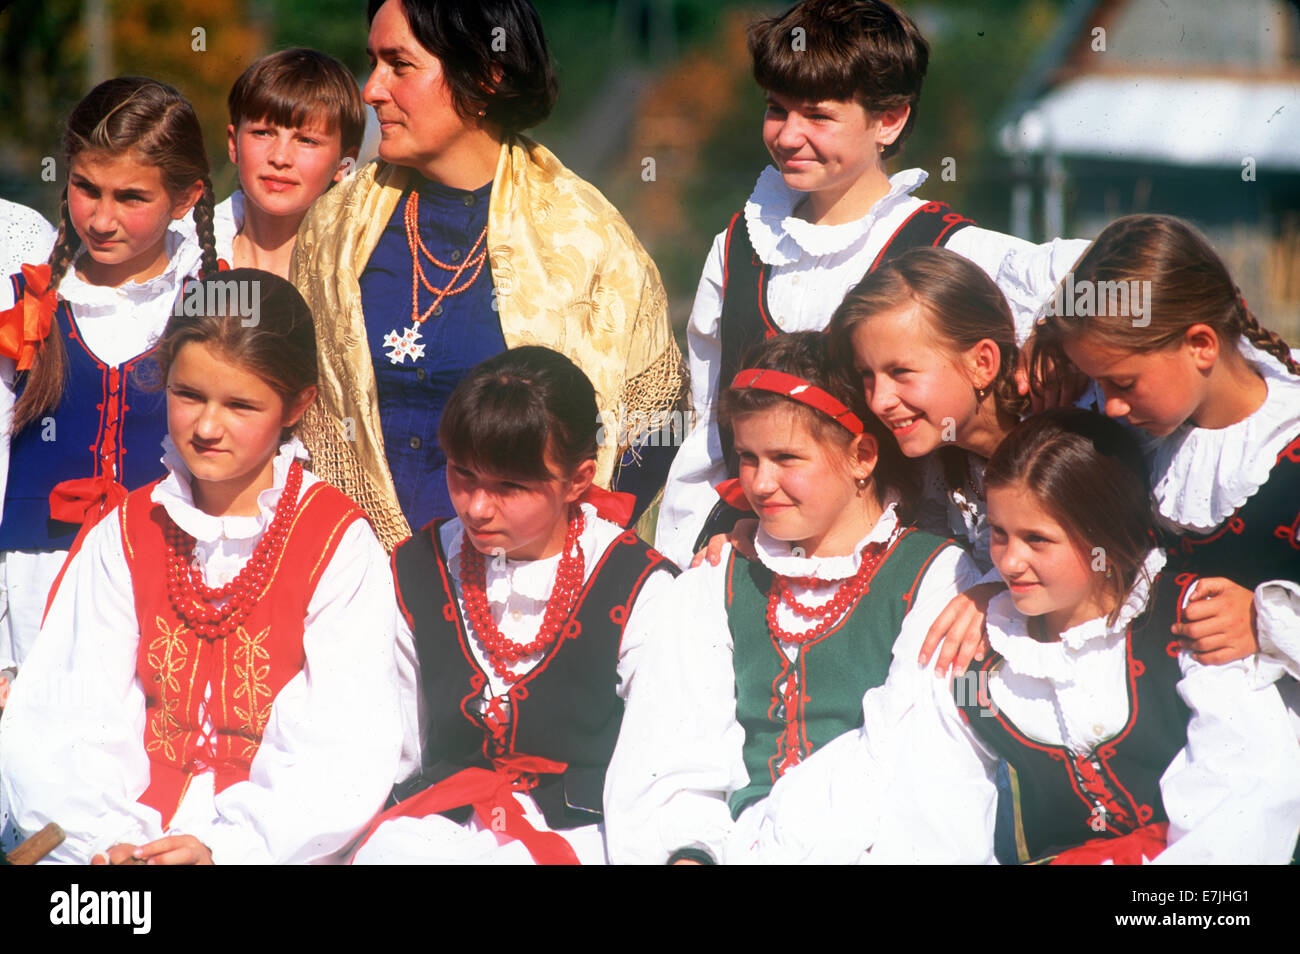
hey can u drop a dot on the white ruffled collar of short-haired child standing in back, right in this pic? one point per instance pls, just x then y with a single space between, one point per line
779 237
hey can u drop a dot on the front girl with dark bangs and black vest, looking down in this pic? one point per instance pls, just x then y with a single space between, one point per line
523 623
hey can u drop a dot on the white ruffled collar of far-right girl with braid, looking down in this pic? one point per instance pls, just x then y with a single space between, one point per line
1203 476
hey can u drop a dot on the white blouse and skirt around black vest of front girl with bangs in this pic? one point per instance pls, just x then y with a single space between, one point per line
517 595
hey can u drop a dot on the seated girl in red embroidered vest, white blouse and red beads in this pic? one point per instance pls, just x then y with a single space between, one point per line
215 678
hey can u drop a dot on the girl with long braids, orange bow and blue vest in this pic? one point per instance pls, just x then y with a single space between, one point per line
77 428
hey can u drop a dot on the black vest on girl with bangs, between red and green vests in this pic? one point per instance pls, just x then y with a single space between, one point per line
566 709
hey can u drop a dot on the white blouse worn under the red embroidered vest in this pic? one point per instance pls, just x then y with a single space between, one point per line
75 728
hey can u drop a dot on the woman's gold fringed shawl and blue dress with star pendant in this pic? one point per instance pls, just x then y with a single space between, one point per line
551 263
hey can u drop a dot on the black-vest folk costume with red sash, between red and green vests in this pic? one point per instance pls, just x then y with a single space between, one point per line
506 752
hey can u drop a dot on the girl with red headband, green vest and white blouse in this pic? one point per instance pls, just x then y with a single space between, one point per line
760 662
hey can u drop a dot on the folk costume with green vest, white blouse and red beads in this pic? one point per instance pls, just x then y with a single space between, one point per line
740 688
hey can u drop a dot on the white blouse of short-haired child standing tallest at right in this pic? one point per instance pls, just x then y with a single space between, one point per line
813 268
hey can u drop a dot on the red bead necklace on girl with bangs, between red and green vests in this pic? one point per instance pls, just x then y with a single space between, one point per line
502 652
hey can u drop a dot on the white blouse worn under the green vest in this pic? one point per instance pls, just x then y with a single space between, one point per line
681 751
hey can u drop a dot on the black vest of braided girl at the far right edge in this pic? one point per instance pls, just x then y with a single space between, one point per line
1260 541
